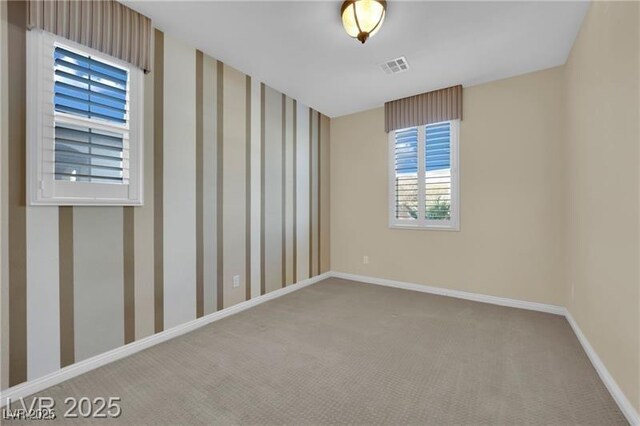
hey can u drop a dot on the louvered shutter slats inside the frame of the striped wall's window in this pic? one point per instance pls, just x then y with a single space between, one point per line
94 91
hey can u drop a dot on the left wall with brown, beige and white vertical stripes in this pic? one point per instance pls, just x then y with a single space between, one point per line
236 183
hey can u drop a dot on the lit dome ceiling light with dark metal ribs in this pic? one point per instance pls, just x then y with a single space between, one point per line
363 18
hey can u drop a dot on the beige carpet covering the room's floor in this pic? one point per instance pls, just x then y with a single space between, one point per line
341 352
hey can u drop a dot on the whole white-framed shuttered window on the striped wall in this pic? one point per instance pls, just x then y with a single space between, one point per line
84 129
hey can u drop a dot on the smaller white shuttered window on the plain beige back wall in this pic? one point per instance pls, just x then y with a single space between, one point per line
423 177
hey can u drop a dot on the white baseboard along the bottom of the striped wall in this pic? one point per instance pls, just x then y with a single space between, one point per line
33 386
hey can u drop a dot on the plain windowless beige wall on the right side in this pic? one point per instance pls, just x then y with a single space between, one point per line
602 98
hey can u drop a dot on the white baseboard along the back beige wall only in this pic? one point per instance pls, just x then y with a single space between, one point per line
494 300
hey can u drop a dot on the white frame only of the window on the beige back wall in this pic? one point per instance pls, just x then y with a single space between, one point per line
422 223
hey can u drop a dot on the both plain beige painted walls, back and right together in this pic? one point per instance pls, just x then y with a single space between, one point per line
550 190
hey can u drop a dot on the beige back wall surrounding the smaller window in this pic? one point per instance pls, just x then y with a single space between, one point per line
511 173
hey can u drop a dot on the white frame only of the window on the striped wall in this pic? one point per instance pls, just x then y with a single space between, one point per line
42 186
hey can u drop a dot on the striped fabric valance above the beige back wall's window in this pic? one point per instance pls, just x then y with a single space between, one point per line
426 108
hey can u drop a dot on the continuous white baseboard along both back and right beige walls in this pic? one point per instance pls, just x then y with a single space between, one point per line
623 402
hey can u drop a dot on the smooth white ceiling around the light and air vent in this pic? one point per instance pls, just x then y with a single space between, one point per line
300 48
